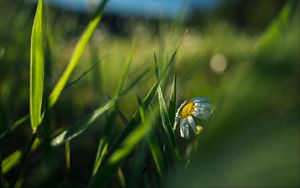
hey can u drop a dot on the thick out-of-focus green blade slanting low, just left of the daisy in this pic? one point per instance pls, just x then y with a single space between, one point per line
118 156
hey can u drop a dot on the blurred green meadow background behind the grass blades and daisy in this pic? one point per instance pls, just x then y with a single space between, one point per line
244 55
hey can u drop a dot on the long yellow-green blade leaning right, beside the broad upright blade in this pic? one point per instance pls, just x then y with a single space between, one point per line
79 49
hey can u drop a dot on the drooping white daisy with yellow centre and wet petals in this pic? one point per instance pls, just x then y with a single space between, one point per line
190 112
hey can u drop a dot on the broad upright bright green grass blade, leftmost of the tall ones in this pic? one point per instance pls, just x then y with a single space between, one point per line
36 68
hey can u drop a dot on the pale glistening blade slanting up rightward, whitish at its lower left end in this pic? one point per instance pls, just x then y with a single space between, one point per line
81 125
